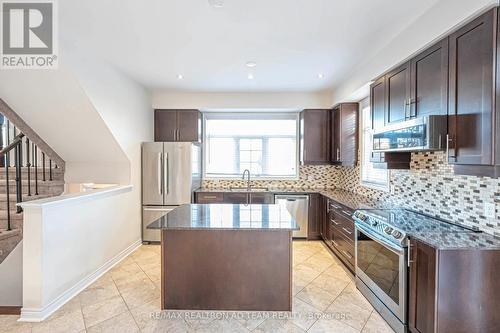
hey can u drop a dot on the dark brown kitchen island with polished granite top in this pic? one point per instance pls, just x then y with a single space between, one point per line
226 257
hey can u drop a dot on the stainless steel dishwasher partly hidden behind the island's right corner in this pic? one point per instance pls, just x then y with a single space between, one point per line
298 207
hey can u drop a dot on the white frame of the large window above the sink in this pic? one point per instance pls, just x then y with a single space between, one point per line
249 114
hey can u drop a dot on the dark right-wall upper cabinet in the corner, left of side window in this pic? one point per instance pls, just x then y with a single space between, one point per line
344 134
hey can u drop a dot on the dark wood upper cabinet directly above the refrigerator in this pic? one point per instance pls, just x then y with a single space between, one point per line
178 125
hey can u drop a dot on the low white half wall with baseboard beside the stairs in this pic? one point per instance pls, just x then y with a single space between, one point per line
69 242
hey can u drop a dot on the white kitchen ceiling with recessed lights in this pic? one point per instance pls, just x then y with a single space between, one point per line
292 41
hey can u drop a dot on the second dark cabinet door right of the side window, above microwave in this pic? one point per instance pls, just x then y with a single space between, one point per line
397 91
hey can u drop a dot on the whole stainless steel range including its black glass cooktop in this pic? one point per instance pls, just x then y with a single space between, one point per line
382 252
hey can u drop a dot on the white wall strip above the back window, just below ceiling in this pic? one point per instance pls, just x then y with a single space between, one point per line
186 100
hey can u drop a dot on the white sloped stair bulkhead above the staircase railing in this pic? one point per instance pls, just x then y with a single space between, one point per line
55 106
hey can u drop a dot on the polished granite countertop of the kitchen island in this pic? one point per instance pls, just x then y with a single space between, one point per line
226 217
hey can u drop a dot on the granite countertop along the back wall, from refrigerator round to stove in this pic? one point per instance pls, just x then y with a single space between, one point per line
349 199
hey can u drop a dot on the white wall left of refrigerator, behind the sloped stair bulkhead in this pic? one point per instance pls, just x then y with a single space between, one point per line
125 108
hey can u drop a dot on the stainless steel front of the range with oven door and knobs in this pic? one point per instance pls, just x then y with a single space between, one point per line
381 265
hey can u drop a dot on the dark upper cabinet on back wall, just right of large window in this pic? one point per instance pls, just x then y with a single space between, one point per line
315 136
